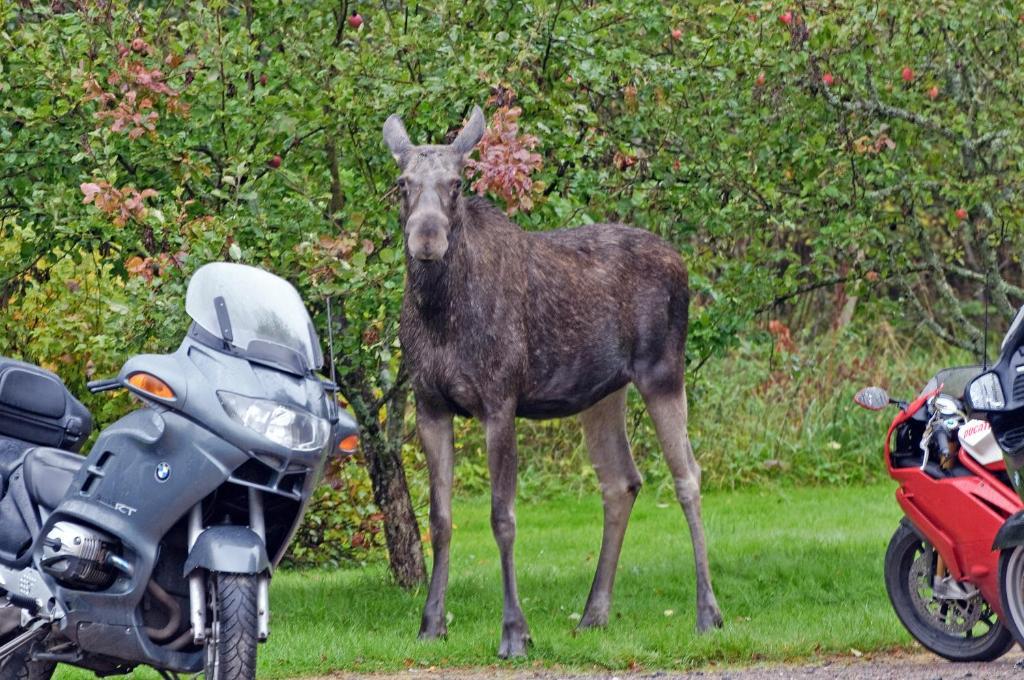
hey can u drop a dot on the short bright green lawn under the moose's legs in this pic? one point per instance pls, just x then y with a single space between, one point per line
798 573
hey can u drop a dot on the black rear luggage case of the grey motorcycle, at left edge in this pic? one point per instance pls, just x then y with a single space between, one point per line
35 407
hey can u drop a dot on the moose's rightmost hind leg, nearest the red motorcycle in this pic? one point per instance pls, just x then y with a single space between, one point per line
669 411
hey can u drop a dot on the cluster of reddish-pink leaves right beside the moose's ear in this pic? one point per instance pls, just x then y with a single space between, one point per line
507 161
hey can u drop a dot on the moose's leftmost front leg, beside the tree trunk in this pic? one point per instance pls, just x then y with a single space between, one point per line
439 443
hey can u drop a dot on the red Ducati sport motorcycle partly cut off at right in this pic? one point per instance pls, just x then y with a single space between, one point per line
943 574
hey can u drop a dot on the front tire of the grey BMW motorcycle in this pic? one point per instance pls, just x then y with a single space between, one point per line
231 650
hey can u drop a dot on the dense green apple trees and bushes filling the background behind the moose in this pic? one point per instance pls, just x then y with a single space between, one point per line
855 161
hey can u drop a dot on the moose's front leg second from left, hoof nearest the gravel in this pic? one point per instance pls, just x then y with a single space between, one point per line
503 461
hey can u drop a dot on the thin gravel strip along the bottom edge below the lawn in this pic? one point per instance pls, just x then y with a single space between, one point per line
878 667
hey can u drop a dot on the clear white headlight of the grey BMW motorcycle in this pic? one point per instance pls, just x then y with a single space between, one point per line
283 426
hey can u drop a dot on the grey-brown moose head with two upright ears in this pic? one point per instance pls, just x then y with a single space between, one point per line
431 185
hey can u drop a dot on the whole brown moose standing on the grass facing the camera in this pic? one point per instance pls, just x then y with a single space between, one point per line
498 323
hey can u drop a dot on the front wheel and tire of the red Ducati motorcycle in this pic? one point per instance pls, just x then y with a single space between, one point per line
959 631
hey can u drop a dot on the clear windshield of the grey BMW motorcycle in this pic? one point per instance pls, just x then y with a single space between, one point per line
258 314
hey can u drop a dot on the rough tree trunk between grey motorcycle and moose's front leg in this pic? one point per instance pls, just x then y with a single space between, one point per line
392 494
